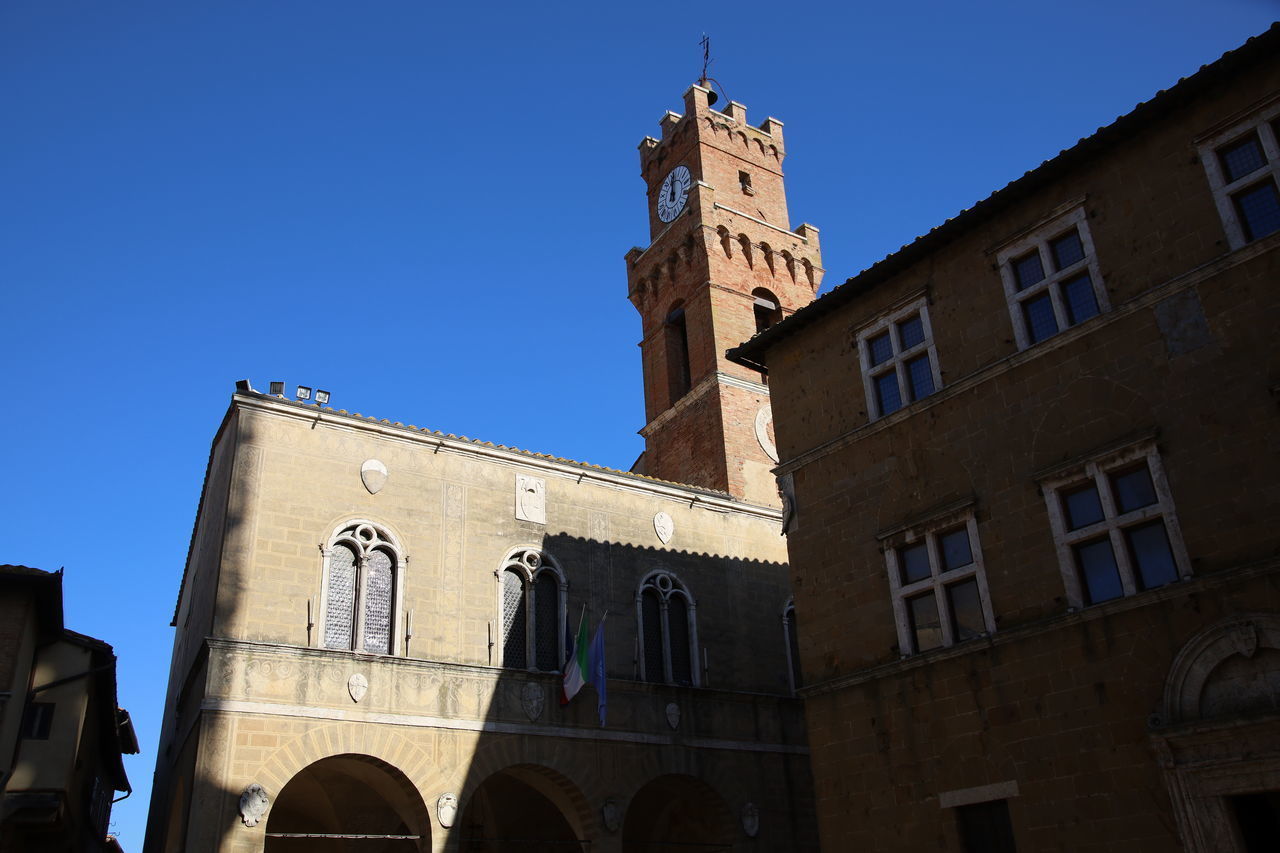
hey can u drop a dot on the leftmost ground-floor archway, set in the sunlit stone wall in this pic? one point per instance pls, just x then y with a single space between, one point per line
349 805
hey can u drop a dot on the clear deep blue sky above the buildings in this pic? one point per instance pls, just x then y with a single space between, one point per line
424 208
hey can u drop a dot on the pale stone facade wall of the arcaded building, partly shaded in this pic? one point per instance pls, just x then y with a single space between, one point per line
441 710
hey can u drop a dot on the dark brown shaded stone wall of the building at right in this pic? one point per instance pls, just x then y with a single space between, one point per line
1055 709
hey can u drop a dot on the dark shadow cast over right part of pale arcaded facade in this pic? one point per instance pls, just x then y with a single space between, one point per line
546 777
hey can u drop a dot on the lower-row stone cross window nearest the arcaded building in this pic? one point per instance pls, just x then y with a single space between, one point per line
938 581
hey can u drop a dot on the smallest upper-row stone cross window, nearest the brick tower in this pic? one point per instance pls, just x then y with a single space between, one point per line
899 362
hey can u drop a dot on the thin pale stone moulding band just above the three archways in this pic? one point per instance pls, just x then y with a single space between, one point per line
488 727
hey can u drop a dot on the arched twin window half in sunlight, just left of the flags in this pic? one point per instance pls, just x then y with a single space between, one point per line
533 612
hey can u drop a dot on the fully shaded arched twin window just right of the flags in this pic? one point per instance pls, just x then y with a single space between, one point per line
668 618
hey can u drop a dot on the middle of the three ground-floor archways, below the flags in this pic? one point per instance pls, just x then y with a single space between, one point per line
523 809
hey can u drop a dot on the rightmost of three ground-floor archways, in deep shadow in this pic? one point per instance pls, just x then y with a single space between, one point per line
678 815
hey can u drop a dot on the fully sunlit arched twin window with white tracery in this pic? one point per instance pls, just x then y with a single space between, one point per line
363 567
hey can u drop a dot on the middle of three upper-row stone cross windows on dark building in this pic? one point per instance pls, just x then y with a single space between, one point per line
1052 279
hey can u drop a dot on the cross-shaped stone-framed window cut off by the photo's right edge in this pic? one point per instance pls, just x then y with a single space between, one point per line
1244 168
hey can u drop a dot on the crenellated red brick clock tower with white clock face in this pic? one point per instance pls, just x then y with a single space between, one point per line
723 264
